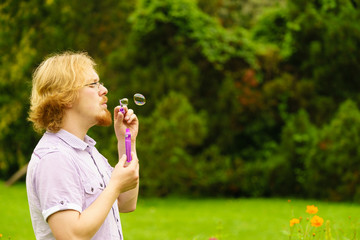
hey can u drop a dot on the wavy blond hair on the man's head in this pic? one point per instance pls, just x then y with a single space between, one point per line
55 86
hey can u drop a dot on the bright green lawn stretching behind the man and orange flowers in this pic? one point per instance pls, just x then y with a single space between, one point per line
194 219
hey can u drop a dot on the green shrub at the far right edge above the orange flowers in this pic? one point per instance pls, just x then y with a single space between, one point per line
332 170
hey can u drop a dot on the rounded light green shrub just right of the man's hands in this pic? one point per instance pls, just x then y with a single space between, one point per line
166 146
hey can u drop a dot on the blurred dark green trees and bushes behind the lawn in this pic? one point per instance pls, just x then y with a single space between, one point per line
252 98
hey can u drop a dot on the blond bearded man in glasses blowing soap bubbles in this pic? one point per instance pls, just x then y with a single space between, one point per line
73 192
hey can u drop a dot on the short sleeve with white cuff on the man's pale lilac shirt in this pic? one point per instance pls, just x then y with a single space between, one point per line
58 184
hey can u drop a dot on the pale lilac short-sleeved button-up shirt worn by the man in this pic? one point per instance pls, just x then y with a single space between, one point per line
66 173
